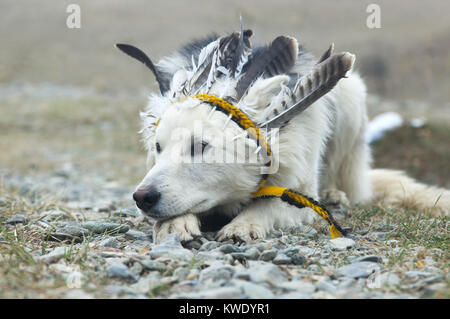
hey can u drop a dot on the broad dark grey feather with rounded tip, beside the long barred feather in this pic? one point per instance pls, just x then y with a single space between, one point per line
278 58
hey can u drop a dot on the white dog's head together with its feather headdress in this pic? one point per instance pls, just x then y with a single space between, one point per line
198 159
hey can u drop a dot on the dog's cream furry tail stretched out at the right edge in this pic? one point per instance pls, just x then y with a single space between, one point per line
394 188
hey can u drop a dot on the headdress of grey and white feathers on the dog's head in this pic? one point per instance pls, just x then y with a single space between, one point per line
230 68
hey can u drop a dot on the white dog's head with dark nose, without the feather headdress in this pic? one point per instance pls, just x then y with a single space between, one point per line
198 160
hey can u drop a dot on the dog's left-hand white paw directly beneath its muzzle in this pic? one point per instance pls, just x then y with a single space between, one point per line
186 227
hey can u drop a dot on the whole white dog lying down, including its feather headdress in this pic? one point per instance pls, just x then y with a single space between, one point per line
320 153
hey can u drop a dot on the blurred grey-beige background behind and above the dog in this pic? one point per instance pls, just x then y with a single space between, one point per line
69 100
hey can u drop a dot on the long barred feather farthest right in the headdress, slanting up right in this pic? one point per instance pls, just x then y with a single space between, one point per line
314 85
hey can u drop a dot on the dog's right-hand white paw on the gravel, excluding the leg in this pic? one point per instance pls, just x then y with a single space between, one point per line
241 231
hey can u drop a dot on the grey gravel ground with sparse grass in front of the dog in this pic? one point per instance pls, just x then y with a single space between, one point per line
92 243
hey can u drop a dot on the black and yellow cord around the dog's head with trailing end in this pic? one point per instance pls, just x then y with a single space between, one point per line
286 195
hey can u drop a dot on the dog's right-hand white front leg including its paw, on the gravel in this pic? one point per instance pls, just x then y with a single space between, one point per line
264 215
